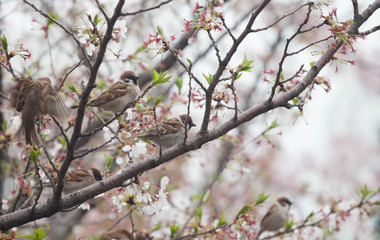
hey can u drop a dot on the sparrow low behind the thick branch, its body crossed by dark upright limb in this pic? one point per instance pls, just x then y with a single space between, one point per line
78 179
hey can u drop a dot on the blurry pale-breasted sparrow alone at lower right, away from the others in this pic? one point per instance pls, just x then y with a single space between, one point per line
276 216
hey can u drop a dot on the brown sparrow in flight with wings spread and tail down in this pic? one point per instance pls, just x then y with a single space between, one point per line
33 98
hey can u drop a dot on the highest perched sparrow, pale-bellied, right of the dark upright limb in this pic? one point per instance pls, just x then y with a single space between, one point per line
119 95
